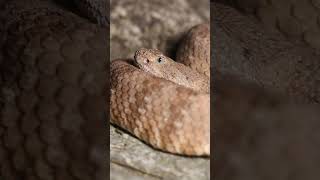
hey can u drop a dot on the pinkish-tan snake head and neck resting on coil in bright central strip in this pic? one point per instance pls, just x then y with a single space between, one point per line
154 62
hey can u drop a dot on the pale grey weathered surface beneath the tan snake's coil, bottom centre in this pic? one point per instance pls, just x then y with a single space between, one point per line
136 158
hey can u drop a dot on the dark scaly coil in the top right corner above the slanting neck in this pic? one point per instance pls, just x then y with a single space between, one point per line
297 20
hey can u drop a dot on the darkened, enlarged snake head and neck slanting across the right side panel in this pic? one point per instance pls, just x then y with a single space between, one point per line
244 46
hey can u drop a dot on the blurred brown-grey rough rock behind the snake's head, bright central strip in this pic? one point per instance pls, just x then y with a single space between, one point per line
152 24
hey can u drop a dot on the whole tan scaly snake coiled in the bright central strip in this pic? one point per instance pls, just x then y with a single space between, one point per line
150 103
